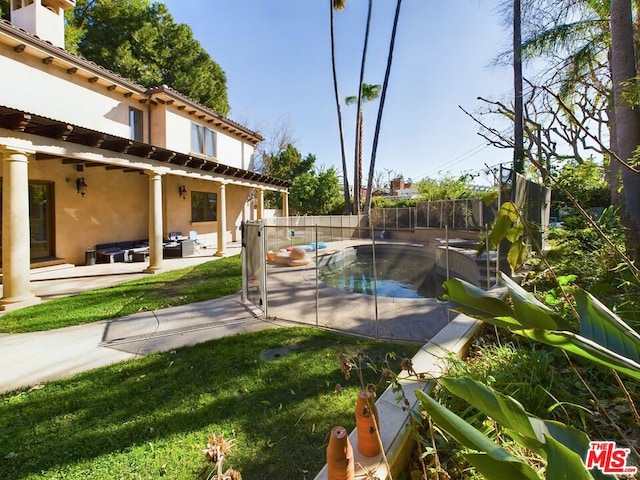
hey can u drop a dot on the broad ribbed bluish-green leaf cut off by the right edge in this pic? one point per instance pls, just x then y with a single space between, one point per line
604 327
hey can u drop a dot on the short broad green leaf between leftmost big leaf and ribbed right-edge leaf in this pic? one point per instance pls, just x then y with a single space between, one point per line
529 311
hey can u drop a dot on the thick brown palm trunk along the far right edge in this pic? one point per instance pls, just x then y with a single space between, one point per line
627 122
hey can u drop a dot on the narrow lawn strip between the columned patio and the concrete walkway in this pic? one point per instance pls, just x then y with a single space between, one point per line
198 283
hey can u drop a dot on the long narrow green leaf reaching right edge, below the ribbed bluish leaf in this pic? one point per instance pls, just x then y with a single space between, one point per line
586 349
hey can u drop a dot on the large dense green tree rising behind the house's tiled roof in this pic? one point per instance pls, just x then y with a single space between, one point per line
139 40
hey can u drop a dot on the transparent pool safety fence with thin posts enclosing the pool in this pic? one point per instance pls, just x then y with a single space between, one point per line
376 277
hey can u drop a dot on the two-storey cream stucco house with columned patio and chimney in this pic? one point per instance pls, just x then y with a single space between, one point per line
91 158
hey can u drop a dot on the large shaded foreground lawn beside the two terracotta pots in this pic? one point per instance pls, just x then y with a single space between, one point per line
151 418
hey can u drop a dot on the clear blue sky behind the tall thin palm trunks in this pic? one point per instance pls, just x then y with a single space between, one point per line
276 55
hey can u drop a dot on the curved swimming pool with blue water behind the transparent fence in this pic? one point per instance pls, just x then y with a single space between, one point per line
402 271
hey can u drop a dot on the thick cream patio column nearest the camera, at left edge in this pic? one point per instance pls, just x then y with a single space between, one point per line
16 243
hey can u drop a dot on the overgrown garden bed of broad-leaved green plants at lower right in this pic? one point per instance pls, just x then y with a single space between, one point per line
568 369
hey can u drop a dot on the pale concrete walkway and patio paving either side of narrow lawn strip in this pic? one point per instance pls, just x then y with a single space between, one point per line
28 359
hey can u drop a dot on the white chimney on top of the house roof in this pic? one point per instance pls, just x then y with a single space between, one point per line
43 18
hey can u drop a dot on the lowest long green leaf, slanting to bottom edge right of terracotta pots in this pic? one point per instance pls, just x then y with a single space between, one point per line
497 463
